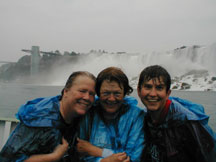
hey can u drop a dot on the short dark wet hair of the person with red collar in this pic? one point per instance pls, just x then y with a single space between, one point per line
153 72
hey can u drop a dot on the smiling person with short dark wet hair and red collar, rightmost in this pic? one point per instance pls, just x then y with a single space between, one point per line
175 130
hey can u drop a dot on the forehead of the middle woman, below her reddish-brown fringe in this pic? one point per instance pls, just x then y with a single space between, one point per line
110 85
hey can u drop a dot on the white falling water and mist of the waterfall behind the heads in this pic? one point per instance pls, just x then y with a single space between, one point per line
177 62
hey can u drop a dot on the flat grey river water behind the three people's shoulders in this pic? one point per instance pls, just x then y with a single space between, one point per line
13 95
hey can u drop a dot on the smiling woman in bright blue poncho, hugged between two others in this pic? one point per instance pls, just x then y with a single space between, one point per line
114 123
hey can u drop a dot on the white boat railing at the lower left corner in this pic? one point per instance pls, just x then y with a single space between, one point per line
7 125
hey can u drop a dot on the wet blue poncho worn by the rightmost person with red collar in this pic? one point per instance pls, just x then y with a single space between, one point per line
183 136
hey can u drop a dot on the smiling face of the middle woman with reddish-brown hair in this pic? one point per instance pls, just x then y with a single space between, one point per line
111 96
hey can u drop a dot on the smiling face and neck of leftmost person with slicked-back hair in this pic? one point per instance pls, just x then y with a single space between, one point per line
77 97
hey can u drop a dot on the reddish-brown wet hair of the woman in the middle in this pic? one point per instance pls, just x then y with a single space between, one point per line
113 74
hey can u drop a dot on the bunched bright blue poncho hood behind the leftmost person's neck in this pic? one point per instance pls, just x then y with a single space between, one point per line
40 112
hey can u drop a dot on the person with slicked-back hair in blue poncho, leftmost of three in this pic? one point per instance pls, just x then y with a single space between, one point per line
44 131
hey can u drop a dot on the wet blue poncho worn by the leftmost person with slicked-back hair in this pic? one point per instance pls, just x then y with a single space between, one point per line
40 130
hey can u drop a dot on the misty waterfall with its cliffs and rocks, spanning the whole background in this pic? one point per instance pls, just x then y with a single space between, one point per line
192 65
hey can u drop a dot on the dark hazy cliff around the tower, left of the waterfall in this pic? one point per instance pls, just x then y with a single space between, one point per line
20 71
